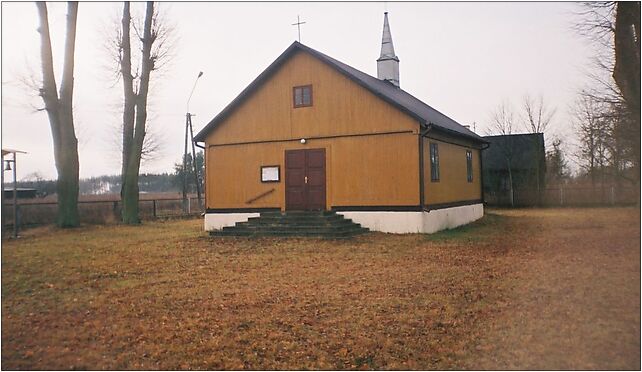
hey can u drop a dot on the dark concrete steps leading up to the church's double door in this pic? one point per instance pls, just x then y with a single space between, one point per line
322 224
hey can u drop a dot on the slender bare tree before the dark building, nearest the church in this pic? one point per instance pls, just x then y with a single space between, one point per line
503 123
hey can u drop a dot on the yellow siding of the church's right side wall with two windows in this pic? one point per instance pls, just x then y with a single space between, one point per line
453 184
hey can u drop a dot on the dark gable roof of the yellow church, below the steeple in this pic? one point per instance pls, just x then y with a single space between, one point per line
399 98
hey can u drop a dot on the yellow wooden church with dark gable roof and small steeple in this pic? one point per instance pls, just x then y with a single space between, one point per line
313 133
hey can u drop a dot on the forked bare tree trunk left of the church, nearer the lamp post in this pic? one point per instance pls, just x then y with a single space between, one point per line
131 161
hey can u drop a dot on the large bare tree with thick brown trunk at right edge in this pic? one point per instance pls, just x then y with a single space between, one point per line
615 29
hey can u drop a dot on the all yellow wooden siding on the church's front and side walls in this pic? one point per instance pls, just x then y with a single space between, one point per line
372 170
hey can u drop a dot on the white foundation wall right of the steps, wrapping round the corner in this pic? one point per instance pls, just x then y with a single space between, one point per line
417 222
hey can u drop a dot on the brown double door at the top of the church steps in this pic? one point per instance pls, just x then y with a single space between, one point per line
305 179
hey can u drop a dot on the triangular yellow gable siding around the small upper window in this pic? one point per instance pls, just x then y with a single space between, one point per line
340 107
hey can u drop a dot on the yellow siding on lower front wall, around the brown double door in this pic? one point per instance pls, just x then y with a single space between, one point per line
360 171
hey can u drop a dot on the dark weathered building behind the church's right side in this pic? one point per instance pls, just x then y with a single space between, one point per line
525 155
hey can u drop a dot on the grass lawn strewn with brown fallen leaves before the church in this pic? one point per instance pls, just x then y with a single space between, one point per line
525 289
